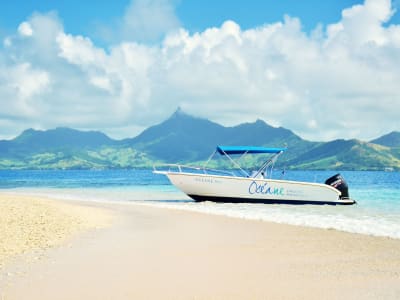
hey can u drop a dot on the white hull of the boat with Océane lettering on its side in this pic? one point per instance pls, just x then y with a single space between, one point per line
204 187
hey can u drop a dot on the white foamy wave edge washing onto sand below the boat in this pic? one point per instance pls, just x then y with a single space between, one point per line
325 217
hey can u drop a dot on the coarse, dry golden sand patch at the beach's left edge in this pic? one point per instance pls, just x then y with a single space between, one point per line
29 224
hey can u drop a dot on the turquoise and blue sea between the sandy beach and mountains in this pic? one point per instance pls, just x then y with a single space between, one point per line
376 213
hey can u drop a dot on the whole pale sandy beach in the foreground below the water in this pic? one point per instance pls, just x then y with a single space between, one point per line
158 253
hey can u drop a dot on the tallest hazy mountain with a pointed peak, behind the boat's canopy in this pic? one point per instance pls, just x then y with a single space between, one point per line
184 138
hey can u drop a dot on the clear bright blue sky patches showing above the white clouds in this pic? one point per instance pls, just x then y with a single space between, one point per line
83 17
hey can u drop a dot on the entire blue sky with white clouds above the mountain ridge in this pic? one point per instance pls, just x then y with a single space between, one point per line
325 69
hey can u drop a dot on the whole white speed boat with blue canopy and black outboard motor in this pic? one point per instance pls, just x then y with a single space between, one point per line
237 185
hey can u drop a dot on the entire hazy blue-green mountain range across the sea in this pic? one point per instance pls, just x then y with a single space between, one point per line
184 138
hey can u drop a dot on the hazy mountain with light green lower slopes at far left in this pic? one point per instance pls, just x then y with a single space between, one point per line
65 148
